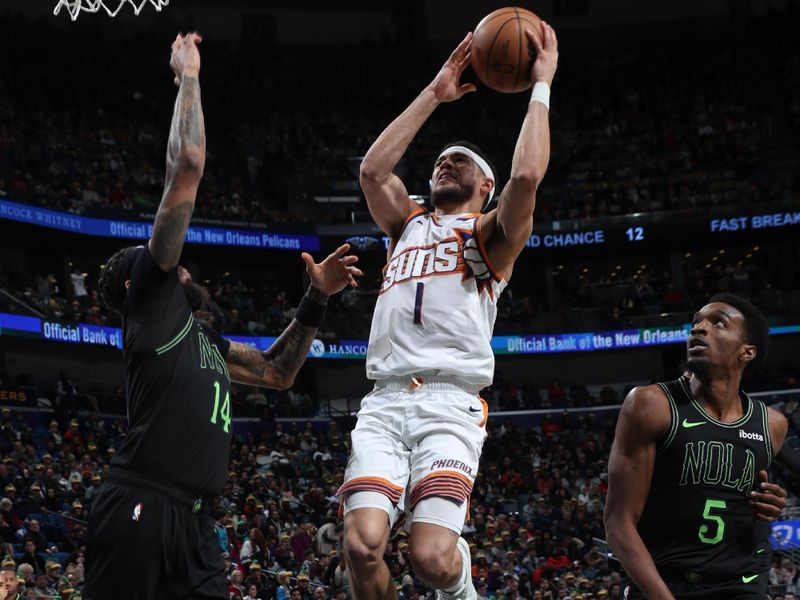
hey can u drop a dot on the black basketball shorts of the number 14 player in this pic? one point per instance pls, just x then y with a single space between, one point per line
148 542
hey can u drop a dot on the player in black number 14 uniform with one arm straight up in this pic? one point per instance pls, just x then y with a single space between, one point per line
150 530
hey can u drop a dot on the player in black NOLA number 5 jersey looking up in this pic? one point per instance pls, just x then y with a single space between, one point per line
688 497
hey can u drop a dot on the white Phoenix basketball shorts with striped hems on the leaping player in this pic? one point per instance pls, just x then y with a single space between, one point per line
417 438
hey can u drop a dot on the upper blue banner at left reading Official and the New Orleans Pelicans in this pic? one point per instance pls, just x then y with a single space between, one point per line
135 230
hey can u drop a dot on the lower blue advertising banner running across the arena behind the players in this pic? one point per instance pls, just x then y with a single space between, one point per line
82 333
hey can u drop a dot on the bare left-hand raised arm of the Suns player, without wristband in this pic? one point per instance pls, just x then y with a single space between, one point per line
386 195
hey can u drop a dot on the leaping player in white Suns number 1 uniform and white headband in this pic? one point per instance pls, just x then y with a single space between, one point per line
420 432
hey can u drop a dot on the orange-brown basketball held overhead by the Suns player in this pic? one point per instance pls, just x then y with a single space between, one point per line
502 56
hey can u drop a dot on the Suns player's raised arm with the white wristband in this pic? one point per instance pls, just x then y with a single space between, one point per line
531 157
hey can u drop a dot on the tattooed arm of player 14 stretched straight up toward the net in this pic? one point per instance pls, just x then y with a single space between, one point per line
186 155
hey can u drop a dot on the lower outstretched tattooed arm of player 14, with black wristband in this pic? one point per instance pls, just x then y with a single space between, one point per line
277 367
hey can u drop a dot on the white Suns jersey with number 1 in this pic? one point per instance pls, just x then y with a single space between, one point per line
437 303
